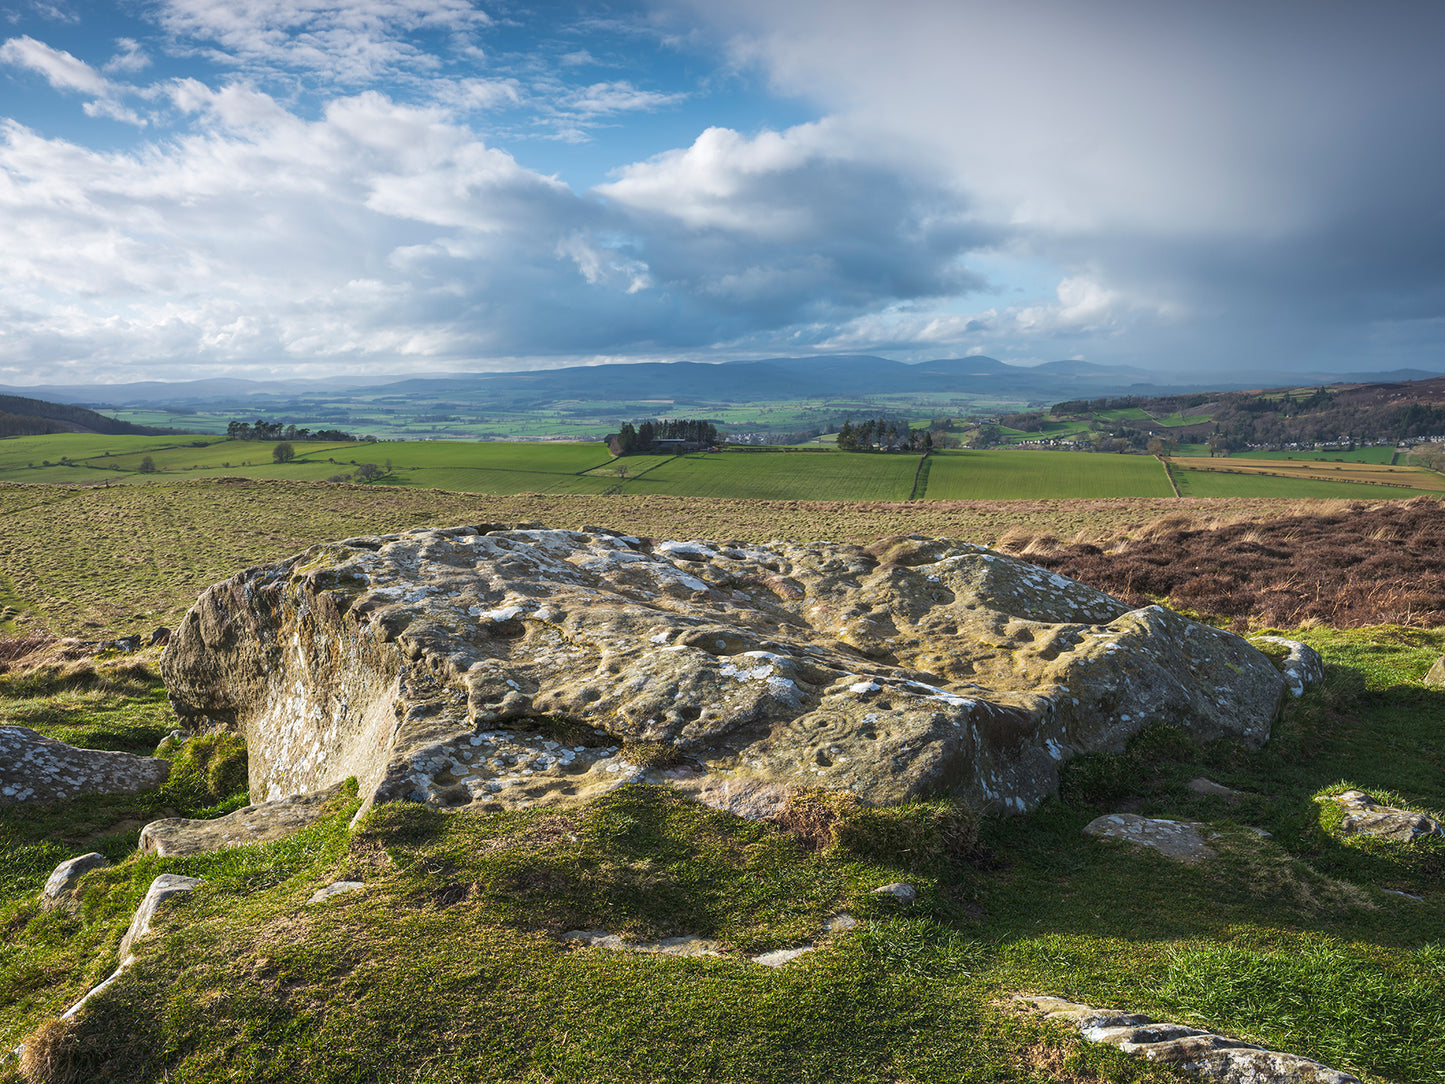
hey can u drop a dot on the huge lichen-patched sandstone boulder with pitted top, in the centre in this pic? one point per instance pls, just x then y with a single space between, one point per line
491 667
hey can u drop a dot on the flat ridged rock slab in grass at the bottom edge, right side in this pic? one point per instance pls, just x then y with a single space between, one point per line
1193 1050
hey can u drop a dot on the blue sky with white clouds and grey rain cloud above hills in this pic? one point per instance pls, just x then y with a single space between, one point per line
309 189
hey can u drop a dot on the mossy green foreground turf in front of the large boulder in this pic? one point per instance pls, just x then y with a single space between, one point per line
450 966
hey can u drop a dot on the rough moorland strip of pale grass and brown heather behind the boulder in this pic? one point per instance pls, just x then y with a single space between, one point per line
96 562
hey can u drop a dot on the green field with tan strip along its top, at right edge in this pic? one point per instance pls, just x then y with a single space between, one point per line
1243 478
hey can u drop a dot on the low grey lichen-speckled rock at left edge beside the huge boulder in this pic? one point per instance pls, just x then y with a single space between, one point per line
40 770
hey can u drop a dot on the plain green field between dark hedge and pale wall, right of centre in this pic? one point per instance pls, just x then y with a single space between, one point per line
999 475
